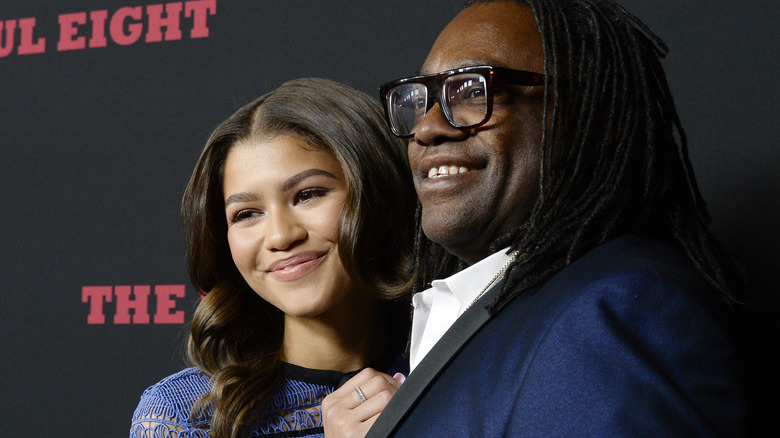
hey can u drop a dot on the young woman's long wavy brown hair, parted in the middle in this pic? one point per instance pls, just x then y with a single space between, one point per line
236 336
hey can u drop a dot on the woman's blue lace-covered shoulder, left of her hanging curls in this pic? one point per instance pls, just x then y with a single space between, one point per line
169 402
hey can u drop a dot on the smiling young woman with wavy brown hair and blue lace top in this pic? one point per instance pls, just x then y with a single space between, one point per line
299 226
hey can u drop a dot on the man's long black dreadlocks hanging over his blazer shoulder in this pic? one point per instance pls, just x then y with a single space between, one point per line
615 159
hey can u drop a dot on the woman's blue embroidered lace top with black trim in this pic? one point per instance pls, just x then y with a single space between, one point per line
294 411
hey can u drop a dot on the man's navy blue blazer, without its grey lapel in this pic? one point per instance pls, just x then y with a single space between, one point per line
616 344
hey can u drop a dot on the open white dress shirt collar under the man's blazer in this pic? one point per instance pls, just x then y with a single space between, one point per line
437 308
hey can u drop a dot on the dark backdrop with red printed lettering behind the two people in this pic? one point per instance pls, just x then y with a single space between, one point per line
97 144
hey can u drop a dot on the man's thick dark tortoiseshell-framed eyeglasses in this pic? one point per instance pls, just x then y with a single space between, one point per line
464 94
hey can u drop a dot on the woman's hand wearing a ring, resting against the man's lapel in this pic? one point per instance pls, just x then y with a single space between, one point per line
345 414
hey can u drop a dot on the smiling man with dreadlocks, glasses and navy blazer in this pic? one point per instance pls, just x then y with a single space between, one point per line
584 295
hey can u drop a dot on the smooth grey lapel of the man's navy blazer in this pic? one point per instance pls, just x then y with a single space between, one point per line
433 364
